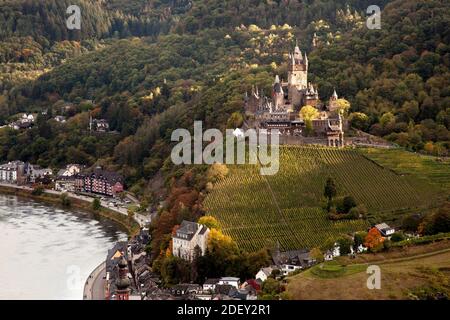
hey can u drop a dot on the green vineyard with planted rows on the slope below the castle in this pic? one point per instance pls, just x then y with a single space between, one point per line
259 211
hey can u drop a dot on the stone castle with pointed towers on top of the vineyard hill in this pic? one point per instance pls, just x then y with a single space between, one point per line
281 110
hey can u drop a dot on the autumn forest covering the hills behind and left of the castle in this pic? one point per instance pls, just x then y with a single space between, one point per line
149 67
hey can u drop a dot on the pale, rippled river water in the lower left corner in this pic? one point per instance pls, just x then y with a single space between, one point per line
48 252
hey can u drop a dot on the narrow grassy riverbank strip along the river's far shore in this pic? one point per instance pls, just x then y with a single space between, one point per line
76 201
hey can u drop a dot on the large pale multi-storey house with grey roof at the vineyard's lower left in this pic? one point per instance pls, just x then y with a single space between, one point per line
189 236
